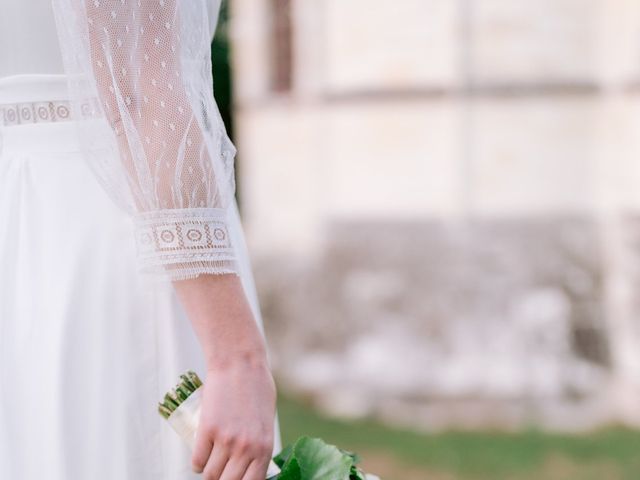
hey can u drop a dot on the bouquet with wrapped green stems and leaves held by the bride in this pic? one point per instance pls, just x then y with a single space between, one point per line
305 459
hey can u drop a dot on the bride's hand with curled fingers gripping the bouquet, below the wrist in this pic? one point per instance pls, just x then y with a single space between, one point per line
234 440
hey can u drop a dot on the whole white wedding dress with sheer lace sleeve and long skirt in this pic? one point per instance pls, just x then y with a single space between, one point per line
115 178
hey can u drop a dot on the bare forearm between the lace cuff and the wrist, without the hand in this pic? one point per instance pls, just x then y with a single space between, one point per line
222 319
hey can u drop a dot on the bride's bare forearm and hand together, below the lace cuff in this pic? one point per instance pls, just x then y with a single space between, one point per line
235 434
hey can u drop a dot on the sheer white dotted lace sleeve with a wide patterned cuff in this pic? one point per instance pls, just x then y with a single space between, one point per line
140 81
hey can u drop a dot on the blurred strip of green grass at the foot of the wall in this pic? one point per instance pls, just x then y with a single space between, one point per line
397 454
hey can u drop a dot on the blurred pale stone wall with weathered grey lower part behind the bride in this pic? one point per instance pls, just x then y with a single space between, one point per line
442 211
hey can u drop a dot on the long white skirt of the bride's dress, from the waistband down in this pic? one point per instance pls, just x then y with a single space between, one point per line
88 346
